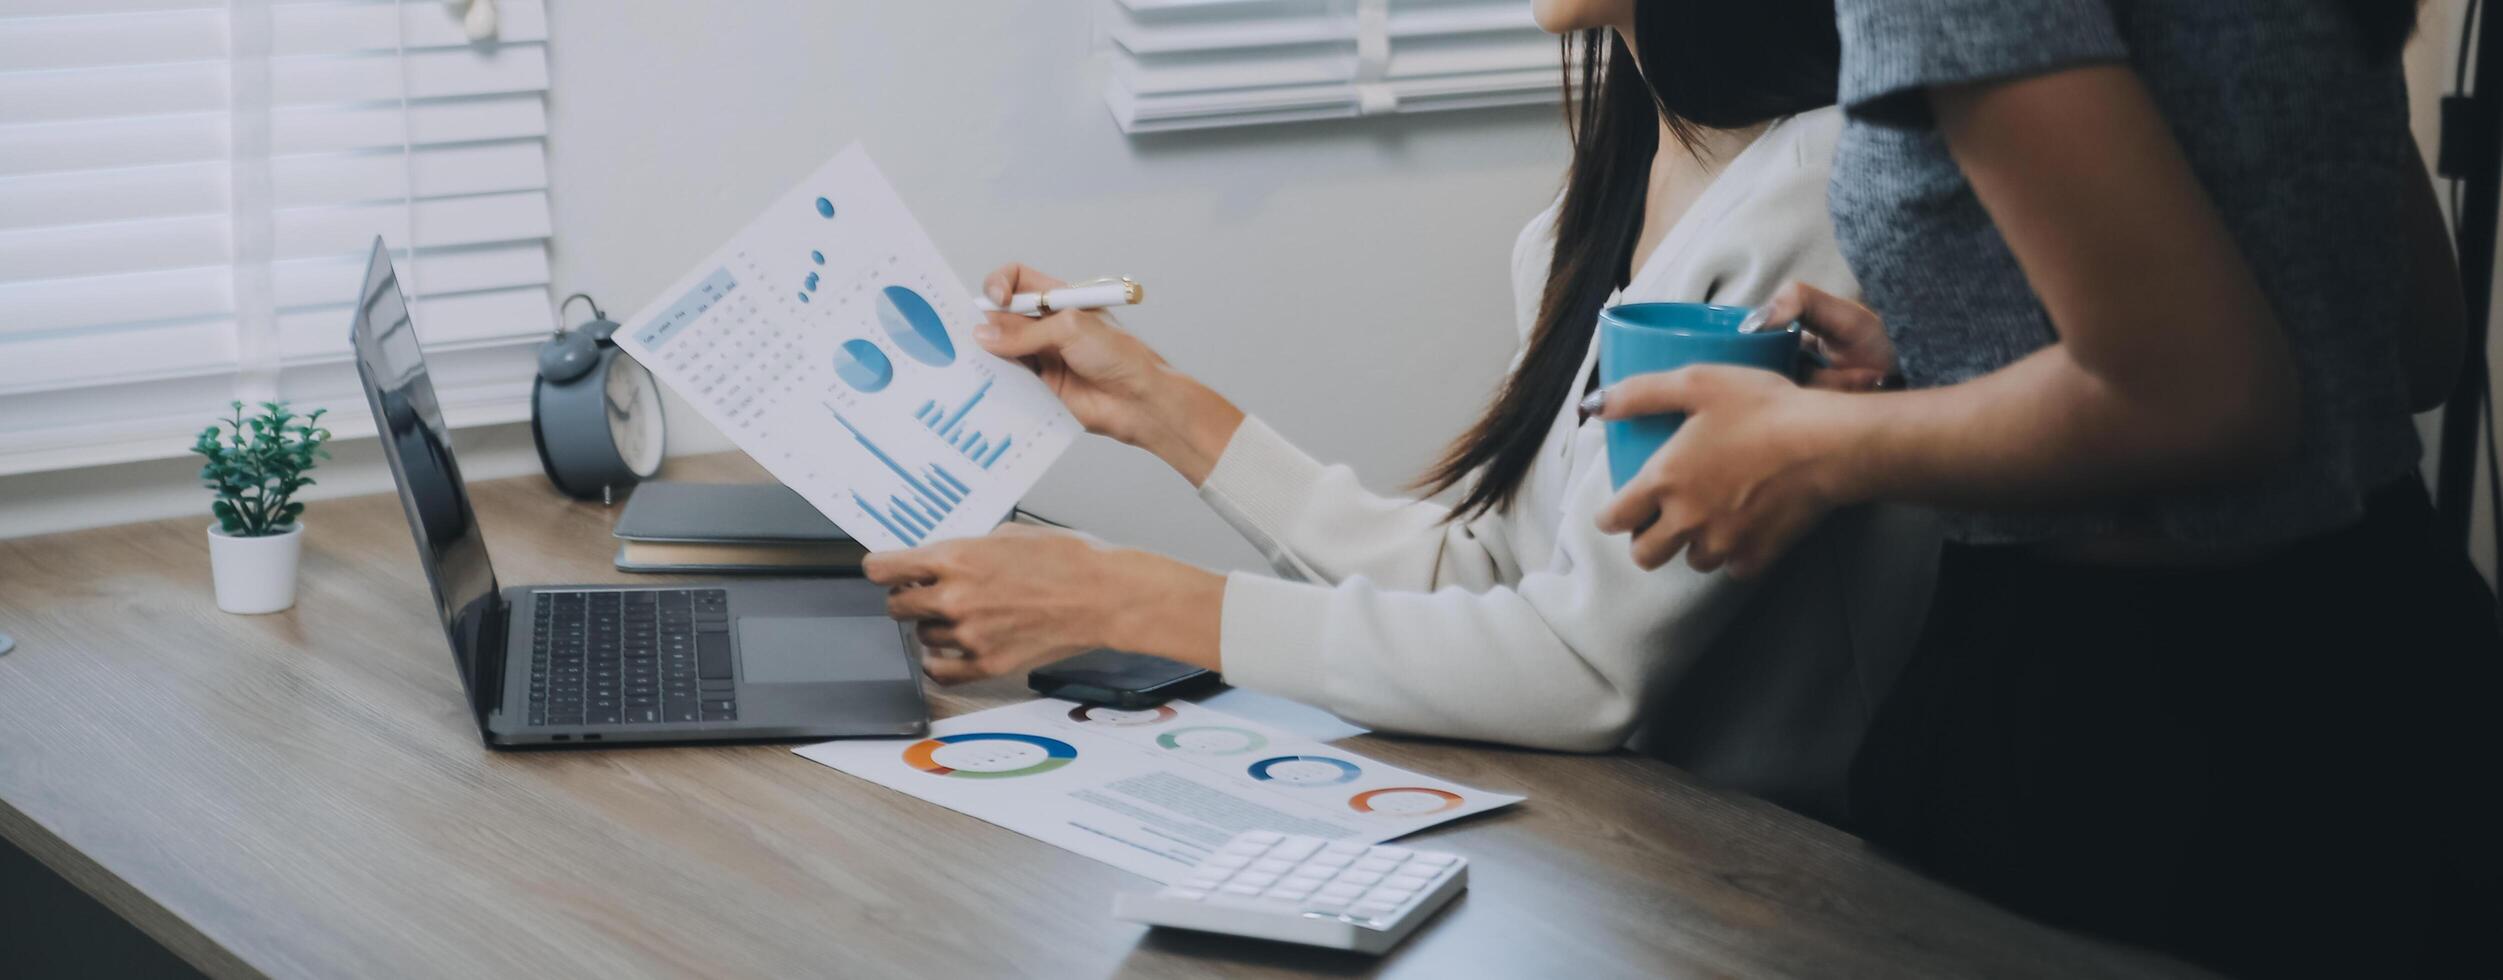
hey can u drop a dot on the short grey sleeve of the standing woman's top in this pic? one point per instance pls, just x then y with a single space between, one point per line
1894 51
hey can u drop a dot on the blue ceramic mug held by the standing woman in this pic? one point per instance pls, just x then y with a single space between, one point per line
1643 339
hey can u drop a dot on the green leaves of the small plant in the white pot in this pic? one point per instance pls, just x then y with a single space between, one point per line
257 464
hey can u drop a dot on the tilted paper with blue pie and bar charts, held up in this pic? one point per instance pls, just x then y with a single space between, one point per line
835 346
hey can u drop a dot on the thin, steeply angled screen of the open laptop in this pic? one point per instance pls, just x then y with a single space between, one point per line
409 421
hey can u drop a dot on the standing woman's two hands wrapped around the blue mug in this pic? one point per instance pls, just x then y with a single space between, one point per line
1758 459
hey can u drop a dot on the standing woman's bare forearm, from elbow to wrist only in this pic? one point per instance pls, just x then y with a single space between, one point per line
2039 434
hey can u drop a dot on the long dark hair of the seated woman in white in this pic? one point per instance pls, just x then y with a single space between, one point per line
1706 66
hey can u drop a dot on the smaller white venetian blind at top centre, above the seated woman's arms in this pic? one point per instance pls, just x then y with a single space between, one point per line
1203 64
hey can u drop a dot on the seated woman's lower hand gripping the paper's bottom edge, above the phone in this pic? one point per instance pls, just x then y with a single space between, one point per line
1025 596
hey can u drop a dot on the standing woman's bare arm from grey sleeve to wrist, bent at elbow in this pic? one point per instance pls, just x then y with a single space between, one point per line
2171 366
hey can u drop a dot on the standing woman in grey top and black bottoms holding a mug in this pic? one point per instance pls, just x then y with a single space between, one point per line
2166 281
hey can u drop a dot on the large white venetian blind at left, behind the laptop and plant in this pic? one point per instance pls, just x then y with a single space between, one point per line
189 191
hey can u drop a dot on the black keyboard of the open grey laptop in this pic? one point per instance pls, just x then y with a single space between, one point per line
632 659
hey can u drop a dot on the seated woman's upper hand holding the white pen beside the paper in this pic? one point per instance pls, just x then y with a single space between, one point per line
1115 384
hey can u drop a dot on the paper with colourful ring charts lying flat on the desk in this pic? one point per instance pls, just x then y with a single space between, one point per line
1150 791
